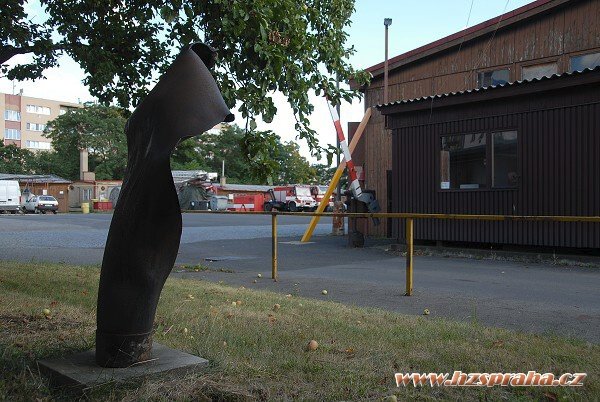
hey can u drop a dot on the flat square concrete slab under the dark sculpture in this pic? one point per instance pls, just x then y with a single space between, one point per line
79 371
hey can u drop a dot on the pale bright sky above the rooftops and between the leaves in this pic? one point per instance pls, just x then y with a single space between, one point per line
414 23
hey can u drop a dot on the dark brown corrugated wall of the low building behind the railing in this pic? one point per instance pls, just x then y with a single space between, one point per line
558 153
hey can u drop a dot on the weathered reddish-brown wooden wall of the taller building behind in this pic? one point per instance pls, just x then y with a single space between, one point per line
553 36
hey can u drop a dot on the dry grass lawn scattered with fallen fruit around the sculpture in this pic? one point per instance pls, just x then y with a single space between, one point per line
258 352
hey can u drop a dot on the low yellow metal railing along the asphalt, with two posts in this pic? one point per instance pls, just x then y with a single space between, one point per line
410 217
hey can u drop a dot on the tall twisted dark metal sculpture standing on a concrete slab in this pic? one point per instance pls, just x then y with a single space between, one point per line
144 234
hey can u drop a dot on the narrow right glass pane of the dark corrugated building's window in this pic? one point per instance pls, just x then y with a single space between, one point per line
505 159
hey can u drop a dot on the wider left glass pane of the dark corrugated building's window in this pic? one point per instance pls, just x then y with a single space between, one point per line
463 162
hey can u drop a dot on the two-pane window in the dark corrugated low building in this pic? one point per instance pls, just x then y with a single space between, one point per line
464 161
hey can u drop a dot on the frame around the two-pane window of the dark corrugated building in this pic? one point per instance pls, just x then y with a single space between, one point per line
489 156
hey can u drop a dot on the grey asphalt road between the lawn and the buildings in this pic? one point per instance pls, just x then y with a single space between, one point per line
531 297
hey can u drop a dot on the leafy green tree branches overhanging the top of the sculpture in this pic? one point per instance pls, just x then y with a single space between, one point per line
264 46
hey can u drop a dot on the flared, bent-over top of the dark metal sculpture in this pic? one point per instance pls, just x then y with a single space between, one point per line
186 100
